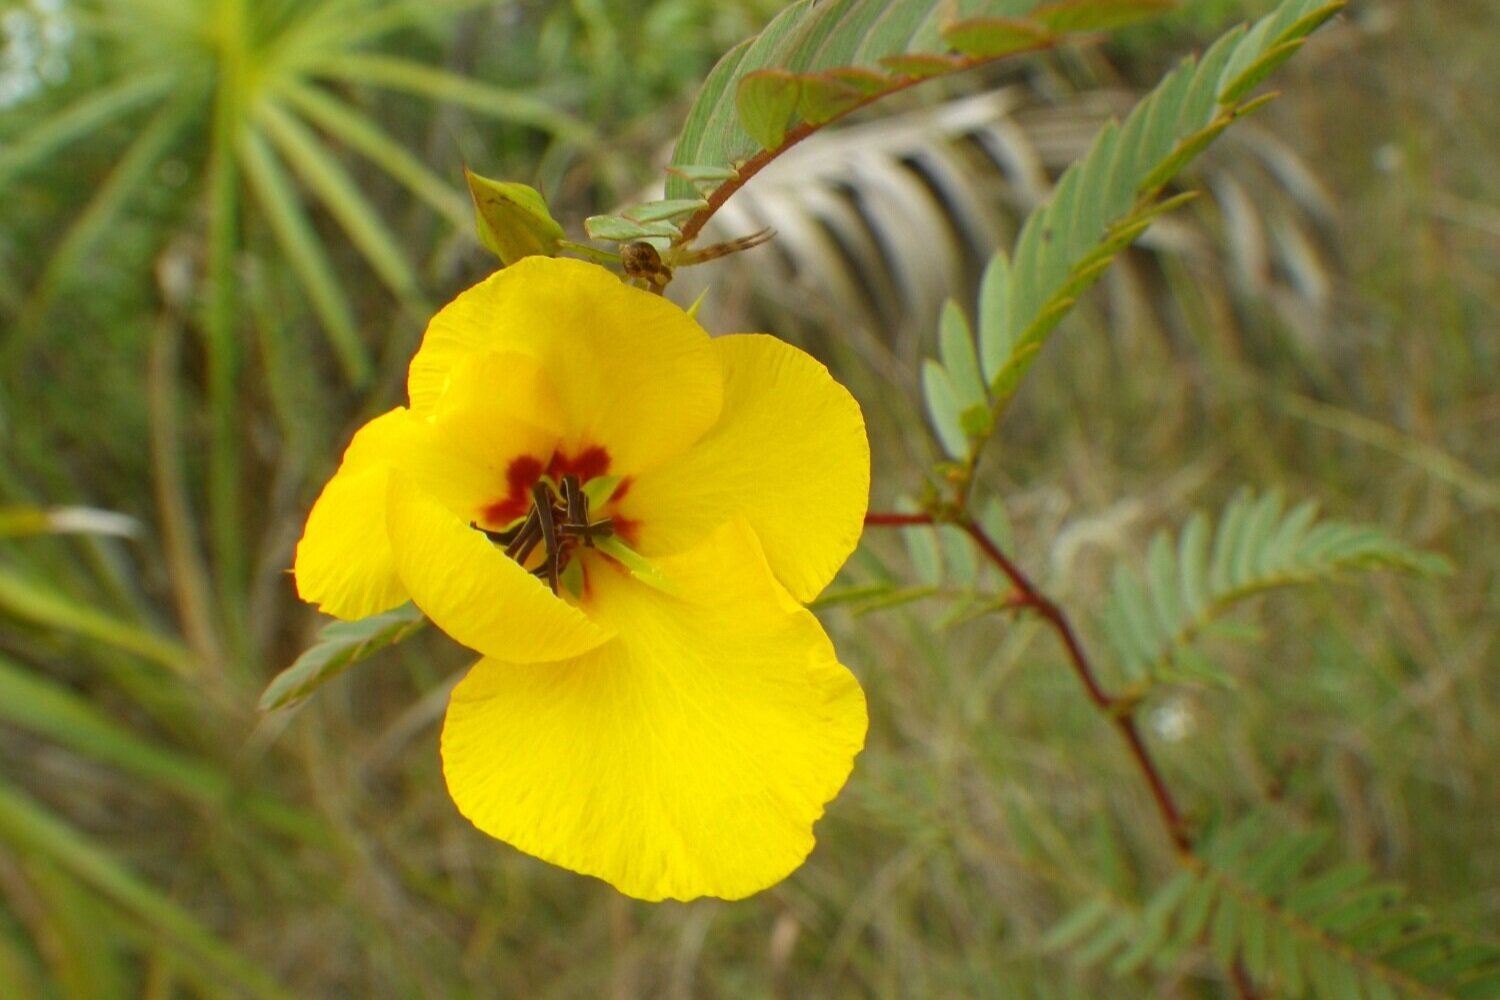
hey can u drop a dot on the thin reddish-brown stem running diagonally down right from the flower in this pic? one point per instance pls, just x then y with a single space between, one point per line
1120 711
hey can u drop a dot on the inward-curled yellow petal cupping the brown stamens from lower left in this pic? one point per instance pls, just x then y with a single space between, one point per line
476 593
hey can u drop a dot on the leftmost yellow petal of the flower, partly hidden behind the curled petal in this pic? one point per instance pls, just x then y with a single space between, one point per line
344 561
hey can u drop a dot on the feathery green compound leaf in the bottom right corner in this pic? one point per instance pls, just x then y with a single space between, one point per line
1256 893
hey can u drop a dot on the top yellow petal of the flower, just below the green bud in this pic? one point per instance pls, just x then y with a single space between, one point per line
634 374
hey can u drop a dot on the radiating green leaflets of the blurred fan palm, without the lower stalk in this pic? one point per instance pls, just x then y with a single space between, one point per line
269 83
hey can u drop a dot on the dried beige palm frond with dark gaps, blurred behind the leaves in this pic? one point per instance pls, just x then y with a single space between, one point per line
878 224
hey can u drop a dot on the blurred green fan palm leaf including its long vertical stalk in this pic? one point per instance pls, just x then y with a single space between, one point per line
256 101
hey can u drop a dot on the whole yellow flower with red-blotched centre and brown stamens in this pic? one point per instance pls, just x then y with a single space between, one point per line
625 518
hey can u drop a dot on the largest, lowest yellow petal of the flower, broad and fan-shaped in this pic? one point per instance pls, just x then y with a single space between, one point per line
689 756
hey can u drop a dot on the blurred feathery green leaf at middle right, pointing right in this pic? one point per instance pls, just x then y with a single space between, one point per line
1154 620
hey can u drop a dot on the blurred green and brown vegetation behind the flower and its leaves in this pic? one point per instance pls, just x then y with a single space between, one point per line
223 226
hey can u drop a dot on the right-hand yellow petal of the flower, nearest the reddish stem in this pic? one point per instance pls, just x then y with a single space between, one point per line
790 455
